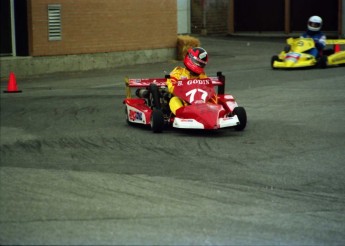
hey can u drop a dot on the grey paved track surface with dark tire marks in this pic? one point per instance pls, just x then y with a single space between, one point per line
73 172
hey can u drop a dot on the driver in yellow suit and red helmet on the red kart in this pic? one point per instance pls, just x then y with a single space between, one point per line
195 62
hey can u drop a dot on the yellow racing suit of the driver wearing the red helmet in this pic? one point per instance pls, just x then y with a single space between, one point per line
177 74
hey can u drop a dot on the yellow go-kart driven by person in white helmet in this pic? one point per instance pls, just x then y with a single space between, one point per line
295 54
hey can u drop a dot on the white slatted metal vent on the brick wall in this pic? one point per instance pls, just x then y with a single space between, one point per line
54 22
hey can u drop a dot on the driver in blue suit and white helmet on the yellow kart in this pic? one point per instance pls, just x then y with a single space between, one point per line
314 32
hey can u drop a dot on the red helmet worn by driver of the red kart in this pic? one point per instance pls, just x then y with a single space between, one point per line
196 59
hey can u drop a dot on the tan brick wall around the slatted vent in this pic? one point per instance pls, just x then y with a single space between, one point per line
93 26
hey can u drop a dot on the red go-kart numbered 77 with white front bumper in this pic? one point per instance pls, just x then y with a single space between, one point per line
203 107
